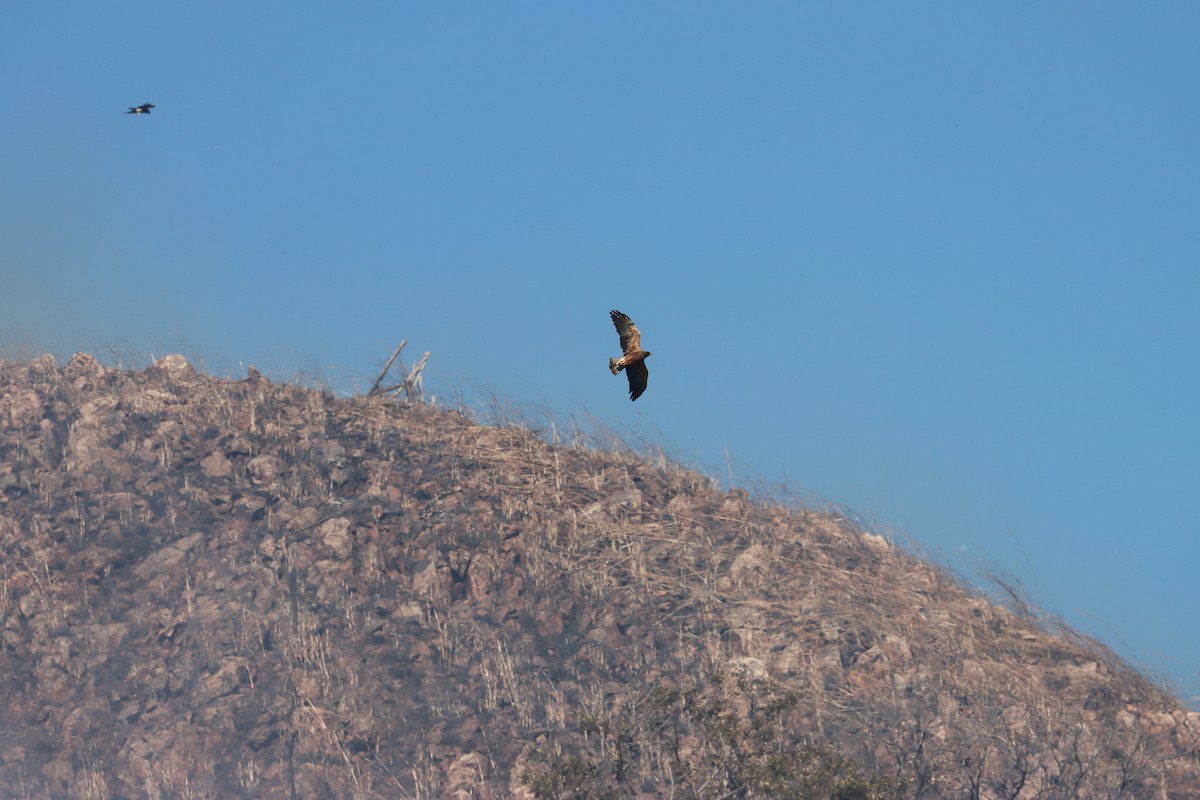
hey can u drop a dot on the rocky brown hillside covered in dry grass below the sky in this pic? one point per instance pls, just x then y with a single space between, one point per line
214 590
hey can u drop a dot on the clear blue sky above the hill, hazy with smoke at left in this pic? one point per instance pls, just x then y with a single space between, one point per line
933 262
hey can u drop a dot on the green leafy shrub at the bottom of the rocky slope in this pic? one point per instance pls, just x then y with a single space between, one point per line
727 738
